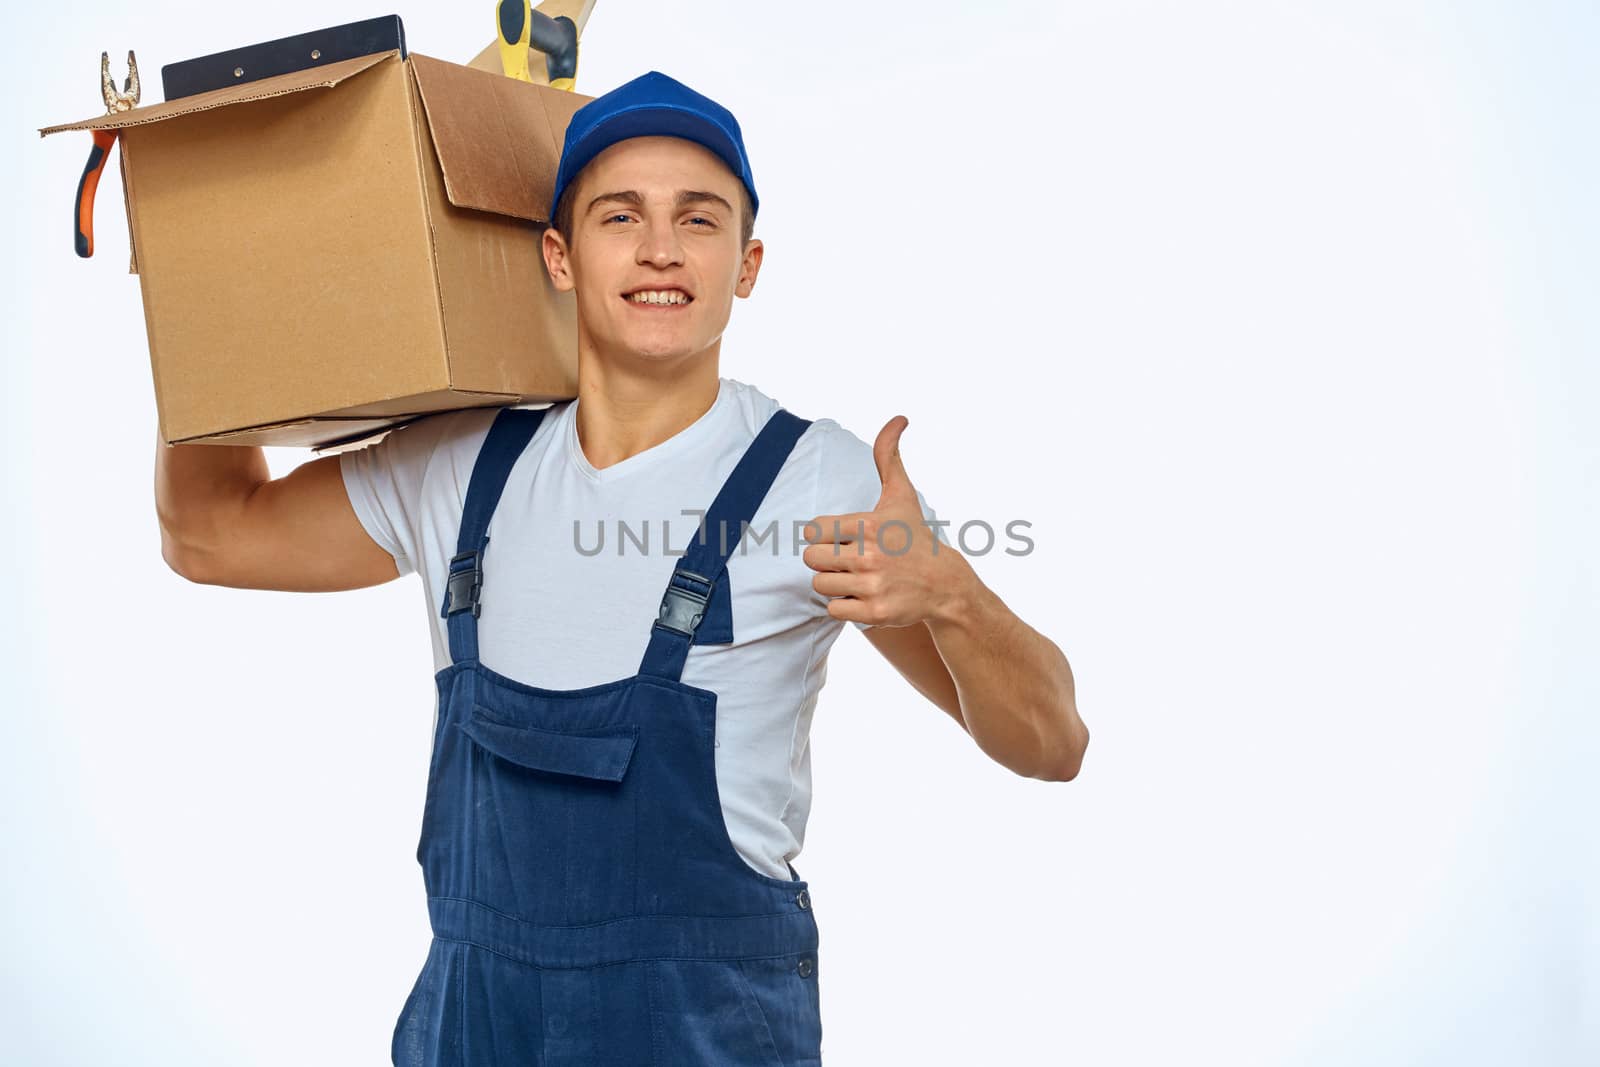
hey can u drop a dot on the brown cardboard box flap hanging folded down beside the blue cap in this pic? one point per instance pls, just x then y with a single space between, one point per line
498 140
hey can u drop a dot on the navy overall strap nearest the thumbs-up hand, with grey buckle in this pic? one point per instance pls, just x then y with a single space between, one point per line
703 565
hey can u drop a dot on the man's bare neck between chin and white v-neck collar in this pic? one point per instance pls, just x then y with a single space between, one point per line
625 410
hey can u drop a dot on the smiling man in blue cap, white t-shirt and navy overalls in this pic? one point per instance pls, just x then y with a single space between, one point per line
620 775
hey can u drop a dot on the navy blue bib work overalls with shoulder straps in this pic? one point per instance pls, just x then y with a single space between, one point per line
586 901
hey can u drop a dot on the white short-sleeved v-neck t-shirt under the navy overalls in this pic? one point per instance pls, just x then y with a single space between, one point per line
578 561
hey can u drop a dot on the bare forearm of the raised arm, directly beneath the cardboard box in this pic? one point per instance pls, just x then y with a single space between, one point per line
198 489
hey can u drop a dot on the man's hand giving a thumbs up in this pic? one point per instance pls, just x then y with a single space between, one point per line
886 567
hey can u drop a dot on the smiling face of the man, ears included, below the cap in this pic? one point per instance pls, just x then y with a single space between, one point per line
655 252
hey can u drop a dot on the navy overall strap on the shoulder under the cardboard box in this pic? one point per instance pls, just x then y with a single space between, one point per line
508 438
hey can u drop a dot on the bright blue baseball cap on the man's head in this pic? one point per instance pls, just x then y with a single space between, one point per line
649 106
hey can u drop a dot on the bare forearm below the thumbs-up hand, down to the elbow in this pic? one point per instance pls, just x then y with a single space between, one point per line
1015 685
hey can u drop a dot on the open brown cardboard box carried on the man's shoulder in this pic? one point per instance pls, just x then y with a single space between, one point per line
334 252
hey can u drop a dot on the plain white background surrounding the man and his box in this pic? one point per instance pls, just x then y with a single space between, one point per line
1274 321
